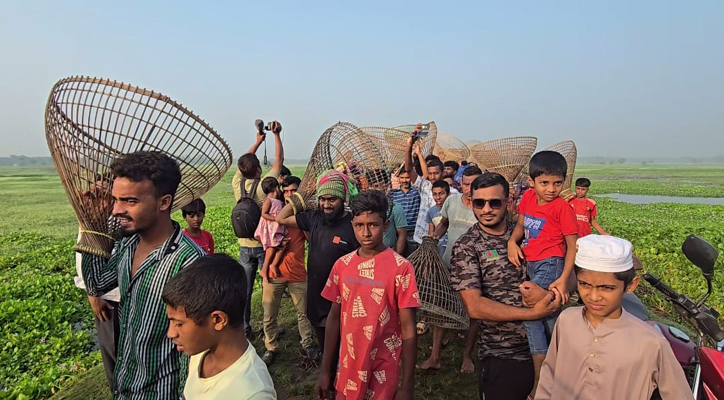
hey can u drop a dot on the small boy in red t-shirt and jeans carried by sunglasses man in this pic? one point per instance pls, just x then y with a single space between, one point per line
548 225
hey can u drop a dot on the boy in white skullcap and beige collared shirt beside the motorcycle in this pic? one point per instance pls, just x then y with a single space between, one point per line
600 351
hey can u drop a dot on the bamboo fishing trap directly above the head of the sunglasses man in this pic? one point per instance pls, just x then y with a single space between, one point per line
506 156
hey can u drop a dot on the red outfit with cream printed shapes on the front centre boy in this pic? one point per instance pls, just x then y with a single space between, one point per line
371 293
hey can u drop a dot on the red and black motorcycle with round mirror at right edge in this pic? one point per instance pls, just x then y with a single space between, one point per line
702 359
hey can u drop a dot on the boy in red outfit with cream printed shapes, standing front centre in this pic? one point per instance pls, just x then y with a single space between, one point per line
374 296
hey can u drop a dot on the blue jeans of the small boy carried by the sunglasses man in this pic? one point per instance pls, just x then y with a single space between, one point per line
542 273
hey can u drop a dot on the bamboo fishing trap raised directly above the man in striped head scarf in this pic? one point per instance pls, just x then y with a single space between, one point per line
347 149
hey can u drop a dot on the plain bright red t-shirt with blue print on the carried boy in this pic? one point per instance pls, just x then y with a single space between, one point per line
545 226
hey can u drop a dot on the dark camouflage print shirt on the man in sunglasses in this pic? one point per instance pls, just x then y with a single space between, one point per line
480 261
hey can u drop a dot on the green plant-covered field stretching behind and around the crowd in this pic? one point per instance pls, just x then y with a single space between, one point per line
46 326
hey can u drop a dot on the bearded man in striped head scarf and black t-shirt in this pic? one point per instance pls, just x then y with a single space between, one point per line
330 237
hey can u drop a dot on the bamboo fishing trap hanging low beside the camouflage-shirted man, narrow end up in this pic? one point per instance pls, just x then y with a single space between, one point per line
441 305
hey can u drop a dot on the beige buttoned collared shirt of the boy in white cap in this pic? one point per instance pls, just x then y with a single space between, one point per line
621 358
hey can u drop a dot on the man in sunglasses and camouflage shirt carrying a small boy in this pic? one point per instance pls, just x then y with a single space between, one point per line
489 285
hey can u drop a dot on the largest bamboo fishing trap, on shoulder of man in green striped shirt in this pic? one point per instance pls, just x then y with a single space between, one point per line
89 122
